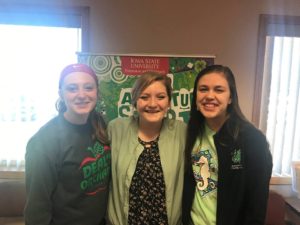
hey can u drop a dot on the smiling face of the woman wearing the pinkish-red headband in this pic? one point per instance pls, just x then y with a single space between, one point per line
79 93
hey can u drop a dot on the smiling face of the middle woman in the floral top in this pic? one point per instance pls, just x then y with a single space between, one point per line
153 103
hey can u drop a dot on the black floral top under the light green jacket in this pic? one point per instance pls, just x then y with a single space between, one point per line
147 195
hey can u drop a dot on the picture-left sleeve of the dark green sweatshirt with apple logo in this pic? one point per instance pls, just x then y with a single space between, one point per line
41 179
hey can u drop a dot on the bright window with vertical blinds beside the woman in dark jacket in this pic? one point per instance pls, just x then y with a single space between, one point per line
277 94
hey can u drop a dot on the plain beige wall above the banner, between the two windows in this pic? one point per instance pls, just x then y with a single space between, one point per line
227 29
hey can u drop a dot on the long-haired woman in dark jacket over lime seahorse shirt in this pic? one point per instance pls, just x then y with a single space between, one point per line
228 162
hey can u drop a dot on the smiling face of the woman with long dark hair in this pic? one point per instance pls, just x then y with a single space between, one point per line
213 98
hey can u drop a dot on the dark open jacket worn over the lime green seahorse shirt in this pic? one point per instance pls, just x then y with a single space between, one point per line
243 186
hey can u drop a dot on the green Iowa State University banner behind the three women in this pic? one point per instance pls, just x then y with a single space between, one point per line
117 75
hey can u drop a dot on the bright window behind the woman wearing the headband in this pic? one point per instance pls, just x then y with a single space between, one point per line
36 43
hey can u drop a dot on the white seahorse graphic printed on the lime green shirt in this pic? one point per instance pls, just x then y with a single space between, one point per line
204 169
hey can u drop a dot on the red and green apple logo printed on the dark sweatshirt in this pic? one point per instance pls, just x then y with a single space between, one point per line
95 169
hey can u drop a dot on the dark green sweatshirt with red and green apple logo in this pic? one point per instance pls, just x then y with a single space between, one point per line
67 175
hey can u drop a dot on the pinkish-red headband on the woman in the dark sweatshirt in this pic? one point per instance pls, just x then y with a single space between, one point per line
78 67
